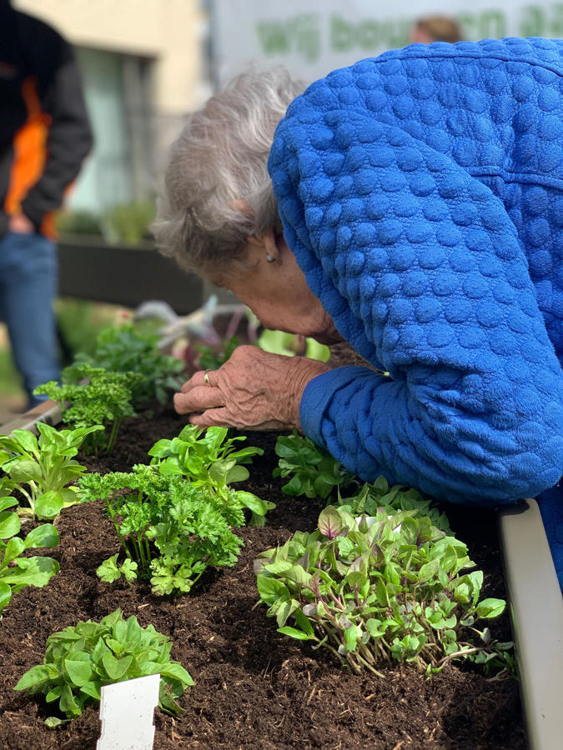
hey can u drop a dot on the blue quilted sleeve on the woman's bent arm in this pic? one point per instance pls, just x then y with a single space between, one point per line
421 270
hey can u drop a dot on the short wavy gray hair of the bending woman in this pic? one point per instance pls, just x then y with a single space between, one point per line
220 159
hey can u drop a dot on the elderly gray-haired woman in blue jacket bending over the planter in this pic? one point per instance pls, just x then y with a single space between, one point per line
411 204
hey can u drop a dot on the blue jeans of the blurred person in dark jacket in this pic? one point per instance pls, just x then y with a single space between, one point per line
28 285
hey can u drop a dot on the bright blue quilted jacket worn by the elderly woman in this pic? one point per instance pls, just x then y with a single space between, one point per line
422 194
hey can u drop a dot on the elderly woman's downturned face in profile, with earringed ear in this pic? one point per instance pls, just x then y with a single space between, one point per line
276 291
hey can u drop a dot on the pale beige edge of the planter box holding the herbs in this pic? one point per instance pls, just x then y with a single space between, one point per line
536 606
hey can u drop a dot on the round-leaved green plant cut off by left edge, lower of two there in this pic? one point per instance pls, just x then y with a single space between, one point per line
16 572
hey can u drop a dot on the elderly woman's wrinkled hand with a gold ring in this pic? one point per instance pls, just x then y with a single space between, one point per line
253 390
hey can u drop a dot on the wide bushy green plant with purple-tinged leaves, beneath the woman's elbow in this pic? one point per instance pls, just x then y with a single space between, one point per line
381 590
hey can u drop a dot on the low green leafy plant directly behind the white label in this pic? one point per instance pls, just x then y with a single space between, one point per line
81 659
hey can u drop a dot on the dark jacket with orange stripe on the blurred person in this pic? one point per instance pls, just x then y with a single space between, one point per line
44 128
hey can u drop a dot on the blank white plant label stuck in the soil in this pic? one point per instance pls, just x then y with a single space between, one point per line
127 712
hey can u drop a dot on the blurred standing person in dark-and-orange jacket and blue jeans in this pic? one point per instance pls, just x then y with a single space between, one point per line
44 136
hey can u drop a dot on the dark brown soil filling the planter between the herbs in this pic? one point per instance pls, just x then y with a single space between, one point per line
254 688
